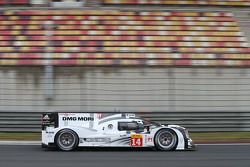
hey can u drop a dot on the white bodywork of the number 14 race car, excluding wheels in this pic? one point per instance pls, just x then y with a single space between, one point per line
102 130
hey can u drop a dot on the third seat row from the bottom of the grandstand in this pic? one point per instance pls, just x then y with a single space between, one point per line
136 49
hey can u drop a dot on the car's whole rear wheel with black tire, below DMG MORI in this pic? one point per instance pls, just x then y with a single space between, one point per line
66 140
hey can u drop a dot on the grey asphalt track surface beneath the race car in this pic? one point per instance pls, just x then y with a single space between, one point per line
205 156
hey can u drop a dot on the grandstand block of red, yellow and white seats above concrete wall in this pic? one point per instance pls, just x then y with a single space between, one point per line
114 37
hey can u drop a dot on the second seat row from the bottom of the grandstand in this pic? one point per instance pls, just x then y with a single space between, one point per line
198 56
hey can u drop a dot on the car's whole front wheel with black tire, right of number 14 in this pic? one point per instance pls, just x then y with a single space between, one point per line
165 140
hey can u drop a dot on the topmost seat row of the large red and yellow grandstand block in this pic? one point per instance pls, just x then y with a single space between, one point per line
84 13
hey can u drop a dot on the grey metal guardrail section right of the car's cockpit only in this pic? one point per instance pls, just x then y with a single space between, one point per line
204 121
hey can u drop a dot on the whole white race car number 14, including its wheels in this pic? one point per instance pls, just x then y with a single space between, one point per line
68 131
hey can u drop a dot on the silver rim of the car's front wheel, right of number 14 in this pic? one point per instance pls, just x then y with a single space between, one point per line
166 139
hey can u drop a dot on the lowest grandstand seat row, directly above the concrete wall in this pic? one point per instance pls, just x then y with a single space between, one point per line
126 62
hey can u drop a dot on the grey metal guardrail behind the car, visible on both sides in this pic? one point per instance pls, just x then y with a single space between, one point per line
194 121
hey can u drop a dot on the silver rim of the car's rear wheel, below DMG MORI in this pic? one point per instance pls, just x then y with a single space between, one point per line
66 140
